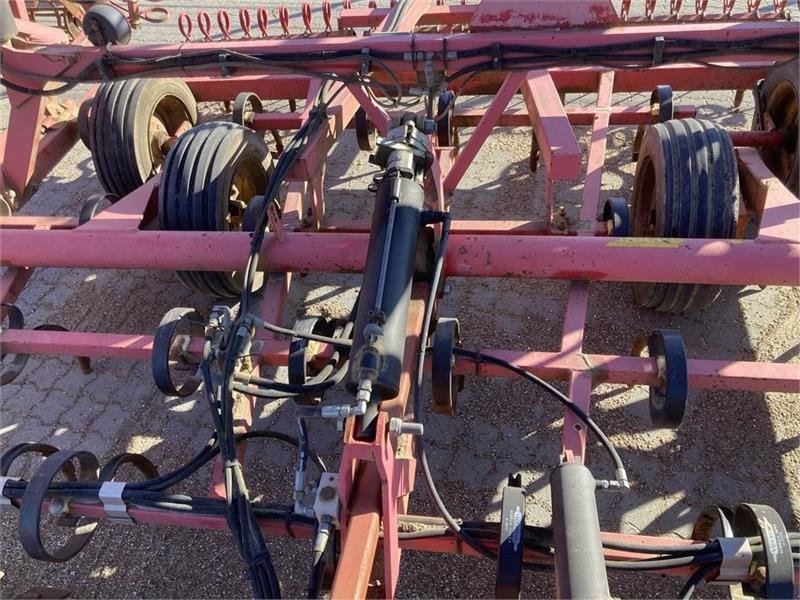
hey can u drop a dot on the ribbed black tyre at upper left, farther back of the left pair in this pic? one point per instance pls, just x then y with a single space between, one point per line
132 125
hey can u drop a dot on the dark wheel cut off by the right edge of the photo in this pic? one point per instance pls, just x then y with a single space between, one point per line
780 93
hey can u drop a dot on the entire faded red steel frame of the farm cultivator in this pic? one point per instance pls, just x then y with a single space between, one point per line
376 478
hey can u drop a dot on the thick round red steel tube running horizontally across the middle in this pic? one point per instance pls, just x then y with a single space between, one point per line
728 262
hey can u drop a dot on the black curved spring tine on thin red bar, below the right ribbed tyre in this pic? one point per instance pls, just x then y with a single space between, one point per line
668 400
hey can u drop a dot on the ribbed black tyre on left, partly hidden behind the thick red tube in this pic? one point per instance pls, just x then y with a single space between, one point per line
210 176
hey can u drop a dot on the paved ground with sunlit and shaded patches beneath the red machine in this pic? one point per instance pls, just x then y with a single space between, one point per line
733 446
